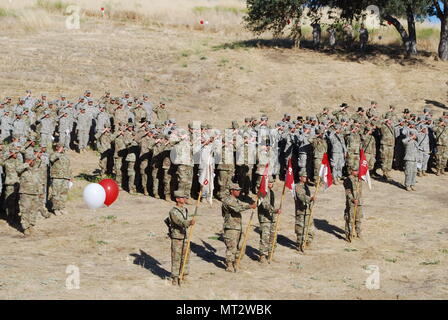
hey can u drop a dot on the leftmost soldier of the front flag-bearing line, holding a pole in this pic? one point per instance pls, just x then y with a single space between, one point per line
179 223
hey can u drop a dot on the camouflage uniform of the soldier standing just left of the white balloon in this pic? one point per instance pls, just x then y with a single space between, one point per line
60 174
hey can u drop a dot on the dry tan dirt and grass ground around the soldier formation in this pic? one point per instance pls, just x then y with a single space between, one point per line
122 252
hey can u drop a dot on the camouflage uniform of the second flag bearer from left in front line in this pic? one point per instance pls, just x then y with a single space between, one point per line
231 211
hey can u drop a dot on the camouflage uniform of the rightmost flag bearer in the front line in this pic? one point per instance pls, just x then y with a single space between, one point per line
353 191
